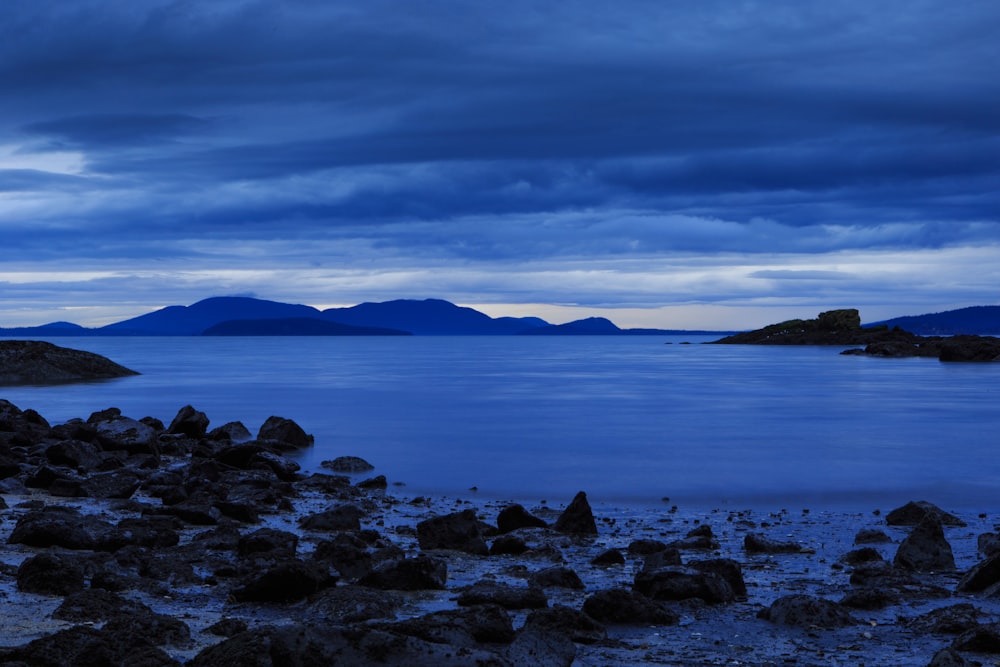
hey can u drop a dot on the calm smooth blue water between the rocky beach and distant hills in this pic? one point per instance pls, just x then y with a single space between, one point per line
626 419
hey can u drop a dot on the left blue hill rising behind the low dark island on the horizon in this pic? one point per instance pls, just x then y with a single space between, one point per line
196 318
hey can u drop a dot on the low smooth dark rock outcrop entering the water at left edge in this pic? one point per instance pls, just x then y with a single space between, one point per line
35 362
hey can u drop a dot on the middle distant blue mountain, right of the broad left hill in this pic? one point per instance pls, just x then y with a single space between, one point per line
430 317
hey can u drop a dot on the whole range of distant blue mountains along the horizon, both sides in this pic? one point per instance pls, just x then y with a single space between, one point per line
245 316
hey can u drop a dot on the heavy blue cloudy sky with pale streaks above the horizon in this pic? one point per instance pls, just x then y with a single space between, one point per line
719 163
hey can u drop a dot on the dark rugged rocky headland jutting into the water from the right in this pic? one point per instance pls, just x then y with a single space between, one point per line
843 328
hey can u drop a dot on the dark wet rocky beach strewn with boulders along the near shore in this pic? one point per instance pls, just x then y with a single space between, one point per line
138 542
